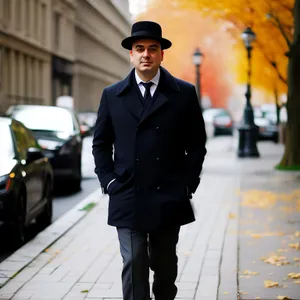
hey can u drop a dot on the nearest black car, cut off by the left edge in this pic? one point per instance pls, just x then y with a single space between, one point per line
26 181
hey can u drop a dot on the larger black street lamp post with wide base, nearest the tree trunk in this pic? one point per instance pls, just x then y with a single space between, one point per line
248 131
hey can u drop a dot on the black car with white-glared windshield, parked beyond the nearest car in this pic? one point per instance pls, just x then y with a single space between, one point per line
57 130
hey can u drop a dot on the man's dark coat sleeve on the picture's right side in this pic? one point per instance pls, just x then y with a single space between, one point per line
195 140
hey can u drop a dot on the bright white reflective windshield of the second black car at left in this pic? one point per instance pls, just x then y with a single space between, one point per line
45 118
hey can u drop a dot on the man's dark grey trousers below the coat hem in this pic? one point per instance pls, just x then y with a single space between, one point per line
140 251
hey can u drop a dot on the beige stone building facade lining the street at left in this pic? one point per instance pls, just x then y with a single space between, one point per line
50 48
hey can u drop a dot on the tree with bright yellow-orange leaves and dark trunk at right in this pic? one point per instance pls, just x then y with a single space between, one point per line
277 25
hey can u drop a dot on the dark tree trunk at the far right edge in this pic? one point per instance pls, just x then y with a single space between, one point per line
291 157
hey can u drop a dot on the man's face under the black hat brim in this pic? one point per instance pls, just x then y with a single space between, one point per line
146 56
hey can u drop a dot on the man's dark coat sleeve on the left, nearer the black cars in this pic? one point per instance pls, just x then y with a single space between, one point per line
103 144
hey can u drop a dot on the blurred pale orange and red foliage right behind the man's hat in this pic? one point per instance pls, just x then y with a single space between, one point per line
187 29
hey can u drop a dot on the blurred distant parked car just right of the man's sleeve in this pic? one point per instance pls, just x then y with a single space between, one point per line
218 121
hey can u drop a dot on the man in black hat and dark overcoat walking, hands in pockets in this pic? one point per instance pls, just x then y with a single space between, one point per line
155 125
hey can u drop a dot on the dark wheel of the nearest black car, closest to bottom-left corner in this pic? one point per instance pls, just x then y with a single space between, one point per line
17 230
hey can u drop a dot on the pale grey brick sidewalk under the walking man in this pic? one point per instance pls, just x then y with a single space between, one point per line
86 264
